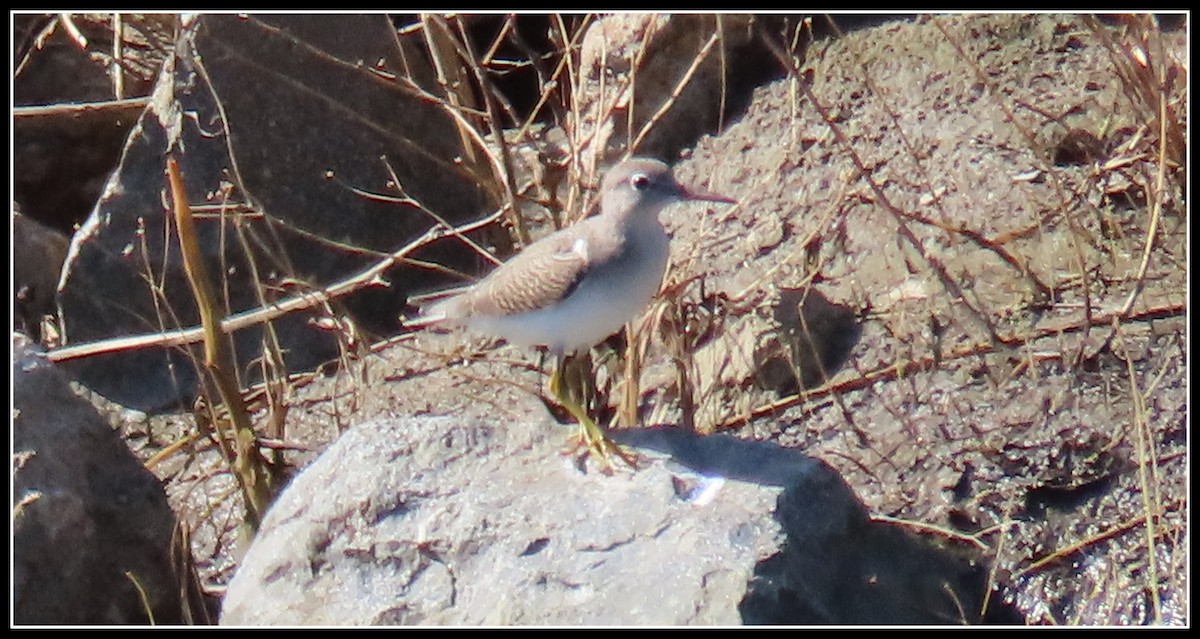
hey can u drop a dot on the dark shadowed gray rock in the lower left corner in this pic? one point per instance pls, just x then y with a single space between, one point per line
88 519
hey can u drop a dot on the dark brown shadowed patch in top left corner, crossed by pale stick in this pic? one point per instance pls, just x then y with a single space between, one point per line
68 127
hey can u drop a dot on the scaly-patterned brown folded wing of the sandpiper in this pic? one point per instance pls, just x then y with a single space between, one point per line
544 274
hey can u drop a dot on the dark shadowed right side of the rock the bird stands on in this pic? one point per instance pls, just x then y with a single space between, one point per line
836 566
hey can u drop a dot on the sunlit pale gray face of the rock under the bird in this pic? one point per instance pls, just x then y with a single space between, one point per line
431 522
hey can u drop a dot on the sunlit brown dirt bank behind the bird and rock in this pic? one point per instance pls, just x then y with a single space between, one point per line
983 194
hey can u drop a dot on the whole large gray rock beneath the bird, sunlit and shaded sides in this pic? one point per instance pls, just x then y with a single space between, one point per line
442 522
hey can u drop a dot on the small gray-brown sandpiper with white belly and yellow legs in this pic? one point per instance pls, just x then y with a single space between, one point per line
575 288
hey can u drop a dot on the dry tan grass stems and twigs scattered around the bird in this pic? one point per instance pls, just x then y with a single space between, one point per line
509 151
